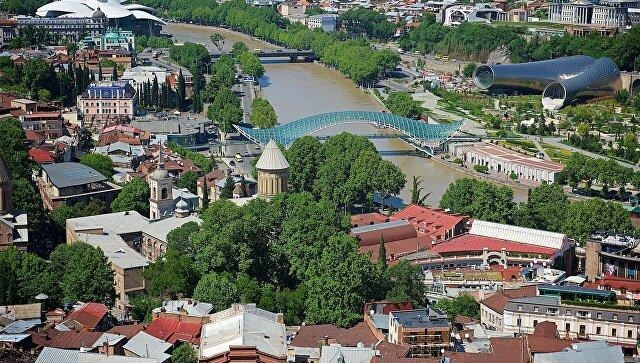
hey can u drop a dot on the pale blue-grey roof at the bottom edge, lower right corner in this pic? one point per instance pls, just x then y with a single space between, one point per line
584 354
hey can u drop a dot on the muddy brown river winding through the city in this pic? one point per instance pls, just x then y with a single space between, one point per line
298 90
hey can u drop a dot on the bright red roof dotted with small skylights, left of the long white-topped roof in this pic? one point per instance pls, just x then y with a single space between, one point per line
432 221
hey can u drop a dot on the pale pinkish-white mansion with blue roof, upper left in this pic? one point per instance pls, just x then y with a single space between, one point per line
106 101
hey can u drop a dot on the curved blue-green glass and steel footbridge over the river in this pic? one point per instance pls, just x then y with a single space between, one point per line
286 134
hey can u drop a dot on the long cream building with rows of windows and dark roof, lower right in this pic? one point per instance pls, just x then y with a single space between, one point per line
576 320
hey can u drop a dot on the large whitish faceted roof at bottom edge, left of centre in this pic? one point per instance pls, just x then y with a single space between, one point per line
243 325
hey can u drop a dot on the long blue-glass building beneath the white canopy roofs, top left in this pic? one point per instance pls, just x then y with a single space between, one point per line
67 28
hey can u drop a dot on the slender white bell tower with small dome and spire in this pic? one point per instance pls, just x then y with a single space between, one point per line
161 200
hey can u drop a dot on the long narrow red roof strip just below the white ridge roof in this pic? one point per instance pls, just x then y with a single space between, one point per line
473 243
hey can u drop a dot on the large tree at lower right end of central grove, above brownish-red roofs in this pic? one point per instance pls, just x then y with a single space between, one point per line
339 285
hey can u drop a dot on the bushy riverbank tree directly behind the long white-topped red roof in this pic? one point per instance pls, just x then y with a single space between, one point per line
479 199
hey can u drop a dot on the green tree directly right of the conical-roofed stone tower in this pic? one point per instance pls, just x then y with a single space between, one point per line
304 158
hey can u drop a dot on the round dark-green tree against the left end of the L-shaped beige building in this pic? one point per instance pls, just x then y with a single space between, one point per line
84 274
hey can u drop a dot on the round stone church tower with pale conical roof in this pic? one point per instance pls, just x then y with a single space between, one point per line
273 171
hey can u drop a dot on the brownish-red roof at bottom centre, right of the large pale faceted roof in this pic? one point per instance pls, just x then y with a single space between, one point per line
310 335
